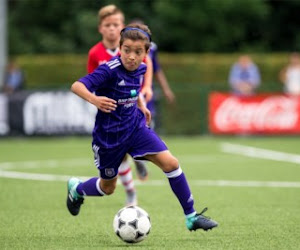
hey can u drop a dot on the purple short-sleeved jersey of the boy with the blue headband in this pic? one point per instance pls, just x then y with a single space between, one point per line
114 81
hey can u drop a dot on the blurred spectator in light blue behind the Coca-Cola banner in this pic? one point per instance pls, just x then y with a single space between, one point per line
244 77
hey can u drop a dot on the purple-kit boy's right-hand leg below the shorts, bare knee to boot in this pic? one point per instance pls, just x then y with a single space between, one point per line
169 164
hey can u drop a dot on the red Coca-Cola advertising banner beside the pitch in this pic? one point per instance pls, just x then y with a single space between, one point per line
260 114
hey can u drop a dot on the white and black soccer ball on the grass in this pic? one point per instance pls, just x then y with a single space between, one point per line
132 224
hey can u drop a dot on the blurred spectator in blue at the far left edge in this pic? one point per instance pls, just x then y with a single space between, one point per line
14 78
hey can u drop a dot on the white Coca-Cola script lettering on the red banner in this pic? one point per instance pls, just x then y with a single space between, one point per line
271 113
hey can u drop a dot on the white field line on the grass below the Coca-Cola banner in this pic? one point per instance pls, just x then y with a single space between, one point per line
259 153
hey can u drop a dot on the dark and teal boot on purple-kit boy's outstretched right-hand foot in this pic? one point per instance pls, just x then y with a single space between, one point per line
199 221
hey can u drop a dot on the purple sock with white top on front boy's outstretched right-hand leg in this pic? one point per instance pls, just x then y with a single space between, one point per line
181 189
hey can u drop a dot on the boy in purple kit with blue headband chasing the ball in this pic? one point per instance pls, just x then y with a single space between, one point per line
120 128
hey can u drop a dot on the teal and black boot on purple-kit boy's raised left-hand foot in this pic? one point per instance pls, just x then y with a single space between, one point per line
74 200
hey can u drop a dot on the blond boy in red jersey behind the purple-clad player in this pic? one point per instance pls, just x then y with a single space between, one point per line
111 22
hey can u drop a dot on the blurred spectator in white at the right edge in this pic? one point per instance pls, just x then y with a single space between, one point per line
290 75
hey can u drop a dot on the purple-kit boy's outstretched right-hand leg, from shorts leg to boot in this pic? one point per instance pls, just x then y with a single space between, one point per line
147 145
